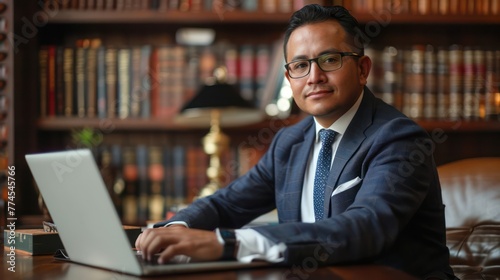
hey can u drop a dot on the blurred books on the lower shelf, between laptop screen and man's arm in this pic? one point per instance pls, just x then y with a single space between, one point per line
147 181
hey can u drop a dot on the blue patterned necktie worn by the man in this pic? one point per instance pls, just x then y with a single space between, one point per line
322 170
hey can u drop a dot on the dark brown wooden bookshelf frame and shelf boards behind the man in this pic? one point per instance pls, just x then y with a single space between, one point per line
466 138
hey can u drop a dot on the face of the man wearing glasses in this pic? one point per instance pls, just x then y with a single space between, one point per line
326 95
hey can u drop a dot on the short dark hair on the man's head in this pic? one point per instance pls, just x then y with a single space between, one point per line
315 13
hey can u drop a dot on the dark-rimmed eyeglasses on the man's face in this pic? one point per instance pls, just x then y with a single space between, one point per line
327 62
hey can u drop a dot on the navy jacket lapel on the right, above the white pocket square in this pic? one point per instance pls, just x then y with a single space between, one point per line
350 143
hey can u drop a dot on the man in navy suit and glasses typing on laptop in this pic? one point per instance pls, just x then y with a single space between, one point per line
380 201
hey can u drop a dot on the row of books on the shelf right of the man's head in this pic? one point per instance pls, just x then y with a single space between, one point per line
447 83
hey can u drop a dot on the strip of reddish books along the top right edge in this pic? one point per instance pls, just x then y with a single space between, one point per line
428 7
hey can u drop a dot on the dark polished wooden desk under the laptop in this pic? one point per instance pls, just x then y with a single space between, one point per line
45 267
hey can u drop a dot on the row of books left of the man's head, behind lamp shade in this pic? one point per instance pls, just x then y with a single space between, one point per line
92 80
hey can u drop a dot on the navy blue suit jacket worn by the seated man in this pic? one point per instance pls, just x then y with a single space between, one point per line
394 215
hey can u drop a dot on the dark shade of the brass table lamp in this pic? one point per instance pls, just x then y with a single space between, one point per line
234 110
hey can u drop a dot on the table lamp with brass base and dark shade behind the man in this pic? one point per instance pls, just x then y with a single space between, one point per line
217 104
